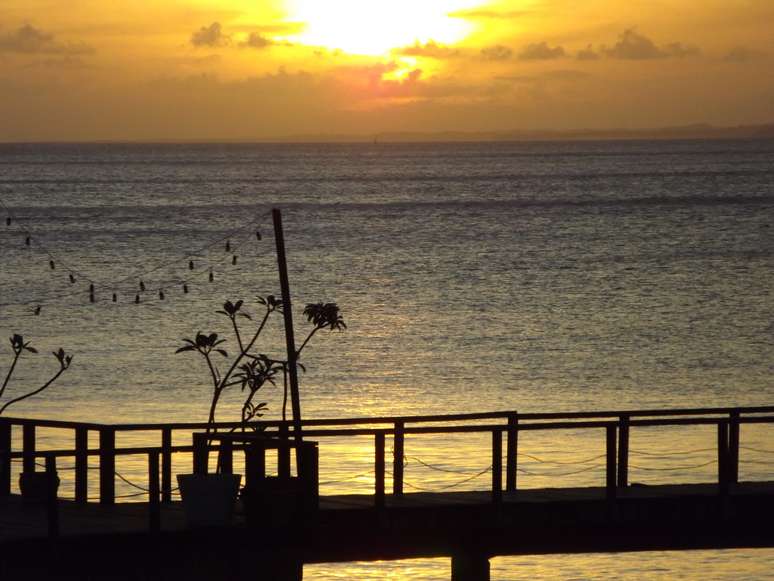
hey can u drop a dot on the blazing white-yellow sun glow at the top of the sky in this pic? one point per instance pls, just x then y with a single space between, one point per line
375 27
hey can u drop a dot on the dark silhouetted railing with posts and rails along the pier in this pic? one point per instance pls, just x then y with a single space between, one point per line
503 426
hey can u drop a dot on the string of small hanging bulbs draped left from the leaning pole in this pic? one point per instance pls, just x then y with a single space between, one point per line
114 291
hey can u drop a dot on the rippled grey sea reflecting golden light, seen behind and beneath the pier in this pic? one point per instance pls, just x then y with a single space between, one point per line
472 277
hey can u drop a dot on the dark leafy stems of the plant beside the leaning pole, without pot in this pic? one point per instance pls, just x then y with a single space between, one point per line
252 371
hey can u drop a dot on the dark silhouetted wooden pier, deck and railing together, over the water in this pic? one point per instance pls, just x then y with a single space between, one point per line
78 539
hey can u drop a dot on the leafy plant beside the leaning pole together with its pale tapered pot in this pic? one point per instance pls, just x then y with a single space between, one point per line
249 371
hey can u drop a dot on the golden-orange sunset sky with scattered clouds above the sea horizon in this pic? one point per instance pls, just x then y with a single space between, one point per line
239 69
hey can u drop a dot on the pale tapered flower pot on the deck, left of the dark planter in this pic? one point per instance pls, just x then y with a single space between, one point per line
209 499
